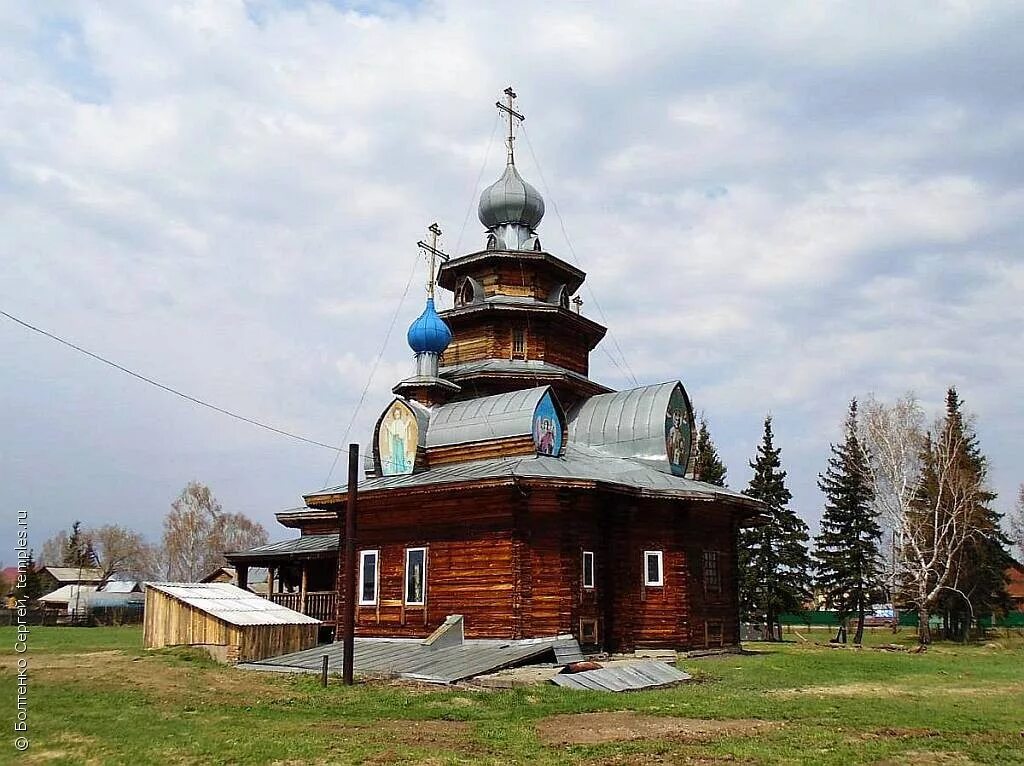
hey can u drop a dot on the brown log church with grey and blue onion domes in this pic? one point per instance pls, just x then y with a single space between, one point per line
509 488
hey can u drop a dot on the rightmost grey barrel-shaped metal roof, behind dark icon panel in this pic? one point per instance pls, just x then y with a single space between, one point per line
625 424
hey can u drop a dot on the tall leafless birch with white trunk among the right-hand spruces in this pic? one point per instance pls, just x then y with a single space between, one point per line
925 496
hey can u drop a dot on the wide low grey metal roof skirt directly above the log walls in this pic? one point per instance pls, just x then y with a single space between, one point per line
578 463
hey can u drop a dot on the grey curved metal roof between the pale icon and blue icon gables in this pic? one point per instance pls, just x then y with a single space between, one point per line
500 416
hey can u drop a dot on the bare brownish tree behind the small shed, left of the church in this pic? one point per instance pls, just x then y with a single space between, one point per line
197 533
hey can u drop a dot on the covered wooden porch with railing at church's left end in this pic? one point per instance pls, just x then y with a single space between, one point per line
302 574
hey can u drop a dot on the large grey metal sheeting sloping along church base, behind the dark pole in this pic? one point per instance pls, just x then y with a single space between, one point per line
412 660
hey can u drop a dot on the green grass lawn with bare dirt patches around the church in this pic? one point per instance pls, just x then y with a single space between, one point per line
96 697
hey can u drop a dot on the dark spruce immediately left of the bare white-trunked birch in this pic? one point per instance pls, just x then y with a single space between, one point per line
846 555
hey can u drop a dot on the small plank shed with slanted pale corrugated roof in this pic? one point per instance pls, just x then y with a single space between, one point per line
233 625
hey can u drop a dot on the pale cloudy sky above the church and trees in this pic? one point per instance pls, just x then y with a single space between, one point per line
784 207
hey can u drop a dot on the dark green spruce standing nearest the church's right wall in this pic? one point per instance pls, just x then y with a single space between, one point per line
774 560
